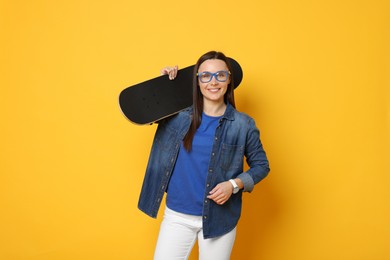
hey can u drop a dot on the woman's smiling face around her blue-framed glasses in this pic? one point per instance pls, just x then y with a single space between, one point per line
214 90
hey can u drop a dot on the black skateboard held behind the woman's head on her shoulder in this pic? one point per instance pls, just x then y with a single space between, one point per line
160 97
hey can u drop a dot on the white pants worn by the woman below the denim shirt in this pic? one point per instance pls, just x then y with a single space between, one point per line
178 233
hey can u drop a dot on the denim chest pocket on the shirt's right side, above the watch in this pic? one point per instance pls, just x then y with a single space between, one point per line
232 157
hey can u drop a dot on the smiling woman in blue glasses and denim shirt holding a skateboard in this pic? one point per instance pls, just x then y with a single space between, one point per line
197 158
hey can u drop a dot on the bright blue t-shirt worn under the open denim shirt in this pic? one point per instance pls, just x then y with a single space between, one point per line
188 181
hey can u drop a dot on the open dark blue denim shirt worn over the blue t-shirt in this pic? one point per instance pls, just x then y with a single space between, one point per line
235 137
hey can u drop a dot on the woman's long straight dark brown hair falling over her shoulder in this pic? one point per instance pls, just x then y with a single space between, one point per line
197 96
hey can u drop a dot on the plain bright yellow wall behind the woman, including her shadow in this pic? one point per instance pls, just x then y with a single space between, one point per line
316 80
